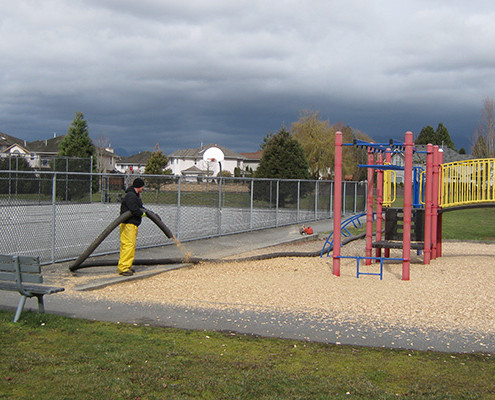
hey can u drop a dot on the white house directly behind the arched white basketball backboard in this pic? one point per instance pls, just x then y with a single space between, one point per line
190 161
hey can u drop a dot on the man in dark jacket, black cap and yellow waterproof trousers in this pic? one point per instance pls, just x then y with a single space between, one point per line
129 229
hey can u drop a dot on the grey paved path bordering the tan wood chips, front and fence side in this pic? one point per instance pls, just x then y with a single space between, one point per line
270 324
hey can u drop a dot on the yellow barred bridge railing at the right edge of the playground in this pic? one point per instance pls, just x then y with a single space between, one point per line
467 182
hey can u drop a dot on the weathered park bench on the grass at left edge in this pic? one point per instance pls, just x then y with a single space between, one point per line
23 274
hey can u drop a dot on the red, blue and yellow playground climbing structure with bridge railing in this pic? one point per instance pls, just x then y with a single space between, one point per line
417 225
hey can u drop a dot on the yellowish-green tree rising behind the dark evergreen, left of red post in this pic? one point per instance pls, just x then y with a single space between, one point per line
317 140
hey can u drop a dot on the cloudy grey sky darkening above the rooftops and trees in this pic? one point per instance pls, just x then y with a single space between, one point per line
179 73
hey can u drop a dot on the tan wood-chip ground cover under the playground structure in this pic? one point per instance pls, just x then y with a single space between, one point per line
455 292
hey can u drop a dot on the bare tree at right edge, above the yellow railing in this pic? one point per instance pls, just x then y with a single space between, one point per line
484 136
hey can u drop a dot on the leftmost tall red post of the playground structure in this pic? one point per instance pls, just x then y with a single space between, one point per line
337 203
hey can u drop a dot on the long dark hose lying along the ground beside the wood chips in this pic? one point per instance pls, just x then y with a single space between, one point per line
197 260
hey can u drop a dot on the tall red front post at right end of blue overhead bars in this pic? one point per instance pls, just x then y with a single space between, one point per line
406 237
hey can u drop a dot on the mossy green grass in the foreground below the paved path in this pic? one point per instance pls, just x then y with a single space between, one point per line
53 357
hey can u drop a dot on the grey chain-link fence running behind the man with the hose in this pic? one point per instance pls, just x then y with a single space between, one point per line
56 215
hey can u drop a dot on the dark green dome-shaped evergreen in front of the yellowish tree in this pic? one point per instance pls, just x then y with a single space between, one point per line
283 158
